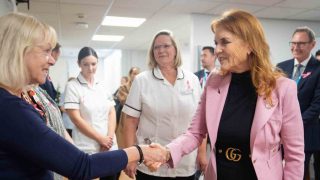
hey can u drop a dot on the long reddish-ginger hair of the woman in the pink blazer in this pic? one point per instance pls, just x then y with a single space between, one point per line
248 28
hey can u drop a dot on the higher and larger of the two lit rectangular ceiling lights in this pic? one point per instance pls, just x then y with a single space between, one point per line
122 21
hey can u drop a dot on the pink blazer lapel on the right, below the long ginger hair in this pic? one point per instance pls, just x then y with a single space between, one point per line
262 114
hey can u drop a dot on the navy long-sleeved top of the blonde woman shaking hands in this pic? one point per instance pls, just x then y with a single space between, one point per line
30 150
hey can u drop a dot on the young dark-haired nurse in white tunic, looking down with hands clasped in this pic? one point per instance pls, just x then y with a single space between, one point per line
91 108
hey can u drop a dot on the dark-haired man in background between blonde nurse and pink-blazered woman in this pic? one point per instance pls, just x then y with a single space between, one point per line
208 59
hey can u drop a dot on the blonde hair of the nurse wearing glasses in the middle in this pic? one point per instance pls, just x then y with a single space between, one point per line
152 63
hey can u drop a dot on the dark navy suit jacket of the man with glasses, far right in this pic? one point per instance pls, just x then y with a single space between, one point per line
309 100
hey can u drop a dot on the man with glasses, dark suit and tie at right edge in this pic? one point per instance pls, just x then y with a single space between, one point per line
305 70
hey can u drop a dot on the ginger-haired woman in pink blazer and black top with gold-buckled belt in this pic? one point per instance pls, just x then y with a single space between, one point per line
247 108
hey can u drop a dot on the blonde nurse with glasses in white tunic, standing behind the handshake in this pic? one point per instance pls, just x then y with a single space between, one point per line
160 106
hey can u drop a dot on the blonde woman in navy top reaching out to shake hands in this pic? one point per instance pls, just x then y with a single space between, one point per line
29 148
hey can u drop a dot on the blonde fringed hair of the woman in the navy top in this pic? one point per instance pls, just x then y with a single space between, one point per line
18 35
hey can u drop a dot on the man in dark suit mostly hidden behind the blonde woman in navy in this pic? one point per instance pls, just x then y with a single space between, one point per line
48 85
